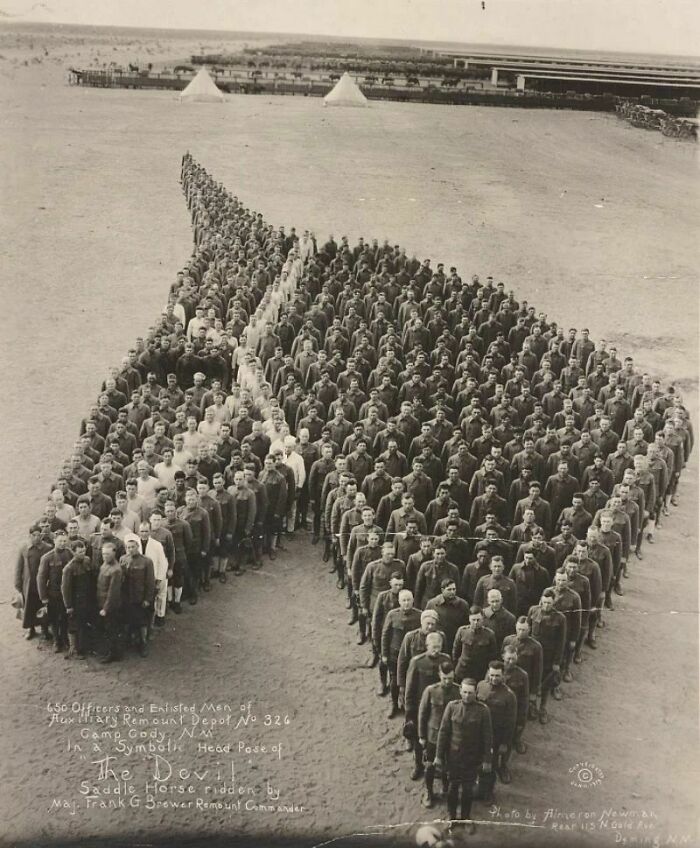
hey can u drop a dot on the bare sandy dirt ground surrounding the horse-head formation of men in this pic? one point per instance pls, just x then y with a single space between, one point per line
582 215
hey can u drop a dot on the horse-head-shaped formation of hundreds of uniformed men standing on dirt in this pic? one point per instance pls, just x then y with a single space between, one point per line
477 478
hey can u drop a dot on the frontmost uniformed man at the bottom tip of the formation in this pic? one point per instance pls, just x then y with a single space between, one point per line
465 743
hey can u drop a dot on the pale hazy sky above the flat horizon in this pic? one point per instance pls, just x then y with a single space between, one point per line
656 26
